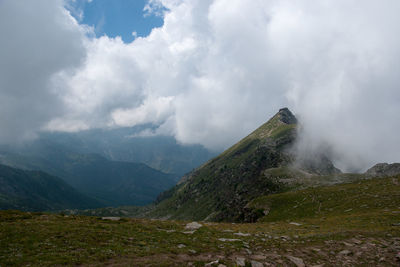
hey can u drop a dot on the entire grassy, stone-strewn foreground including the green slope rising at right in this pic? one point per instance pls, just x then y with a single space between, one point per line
347 224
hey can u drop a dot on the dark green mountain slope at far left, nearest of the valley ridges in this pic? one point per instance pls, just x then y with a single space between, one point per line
38 191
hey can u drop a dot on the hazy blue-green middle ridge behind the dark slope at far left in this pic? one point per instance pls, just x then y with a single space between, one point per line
112 183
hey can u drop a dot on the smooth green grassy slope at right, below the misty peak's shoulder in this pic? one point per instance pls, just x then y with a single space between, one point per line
366 196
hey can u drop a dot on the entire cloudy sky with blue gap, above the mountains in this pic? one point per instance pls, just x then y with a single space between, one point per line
206 71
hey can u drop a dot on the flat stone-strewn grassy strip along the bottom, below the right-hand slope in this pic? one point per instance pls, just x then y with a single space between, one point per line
28 239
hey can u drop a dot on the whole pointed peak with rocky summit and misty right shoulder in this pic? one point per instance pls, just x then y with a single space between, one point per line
260 164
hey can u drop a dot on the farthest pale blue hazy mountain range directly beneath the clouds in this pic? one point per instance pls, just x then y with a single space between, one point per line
124 144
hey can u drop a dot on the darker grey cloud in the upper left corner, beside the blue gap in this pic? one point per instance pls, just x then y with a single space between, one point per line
38 39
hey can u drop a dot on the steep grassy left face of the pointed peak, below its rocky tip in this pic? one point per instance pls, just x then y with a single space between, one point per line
221 187
